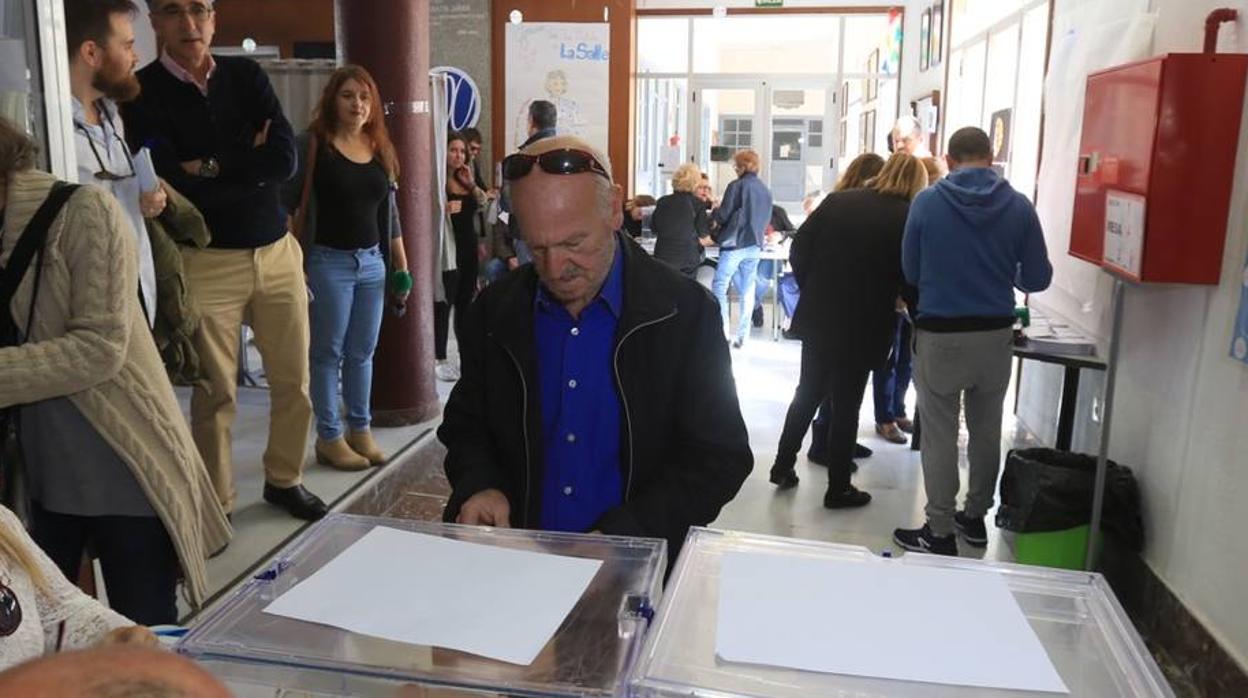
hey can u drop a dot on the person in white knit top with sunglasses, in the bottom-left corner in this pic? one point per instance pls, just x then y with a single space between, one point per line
42 612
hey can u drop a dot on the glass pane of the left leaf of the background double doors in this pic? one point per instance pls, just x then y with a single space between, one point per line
716 152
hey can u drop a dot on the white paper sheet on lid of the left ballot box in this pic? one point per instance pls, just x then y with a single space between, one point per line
426 590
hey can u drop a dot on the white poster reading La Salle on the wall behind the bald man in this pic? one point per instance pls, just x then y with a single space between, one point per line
565 64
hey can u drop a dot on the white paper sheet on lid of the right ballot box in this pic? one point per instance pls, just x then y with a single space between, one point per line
880 620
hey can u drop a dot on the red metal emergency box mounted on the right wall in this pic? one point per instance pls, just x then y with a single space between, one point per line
1156 165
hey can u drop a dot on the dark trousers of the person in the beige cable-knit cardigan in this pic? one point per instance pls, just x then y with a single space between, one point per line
137 555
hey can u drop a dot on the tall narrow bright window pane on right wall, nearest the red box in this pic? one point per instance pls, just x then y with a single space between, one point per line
1025 158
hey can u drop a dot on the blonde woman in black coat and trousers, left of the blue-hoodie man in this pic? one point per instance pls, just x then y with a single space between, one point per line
848 262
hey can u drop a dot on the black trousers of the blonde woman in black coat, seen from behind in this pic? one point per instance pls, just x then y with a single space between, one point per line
843 384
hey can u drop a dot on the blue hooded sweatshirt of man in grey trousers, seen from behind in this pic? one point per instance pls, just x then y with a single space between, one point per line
970 242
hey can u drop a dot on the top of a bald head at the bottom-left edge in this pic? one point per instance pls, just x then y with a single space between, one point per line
112 672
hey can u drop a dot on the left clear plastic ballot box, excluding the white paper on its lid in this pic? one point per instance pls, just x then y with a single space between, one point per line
260 654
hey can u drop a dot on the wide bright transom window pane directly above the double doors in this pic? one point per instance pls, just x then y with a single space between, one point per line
768 44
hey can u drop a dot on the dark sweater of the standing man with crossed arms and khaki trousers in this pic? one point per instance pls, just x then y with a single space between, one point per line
179 124
